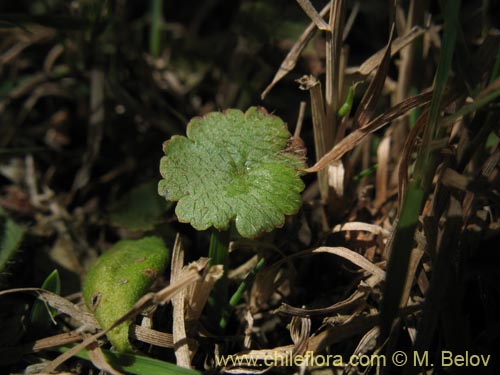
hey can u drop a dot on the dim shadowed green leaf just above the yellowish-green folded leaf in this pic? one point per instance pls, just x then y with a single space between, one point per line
138 210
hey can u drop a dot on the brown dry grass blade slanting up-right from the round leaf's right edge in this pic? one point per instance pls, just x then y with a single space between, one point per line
354 138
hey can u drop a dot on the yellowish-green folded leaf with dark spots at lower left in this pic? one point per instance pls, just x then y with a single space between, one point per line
121 276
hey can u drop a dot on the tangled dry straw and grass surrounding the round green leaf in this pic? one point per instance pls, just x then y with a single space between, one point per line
393 248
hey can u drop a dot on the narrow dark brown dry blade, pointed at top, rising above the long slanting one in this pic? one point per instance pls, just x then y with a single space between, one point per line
366 107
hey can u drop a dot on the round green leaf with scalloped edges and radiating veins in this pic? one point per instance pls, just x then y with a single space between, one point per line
233 166
